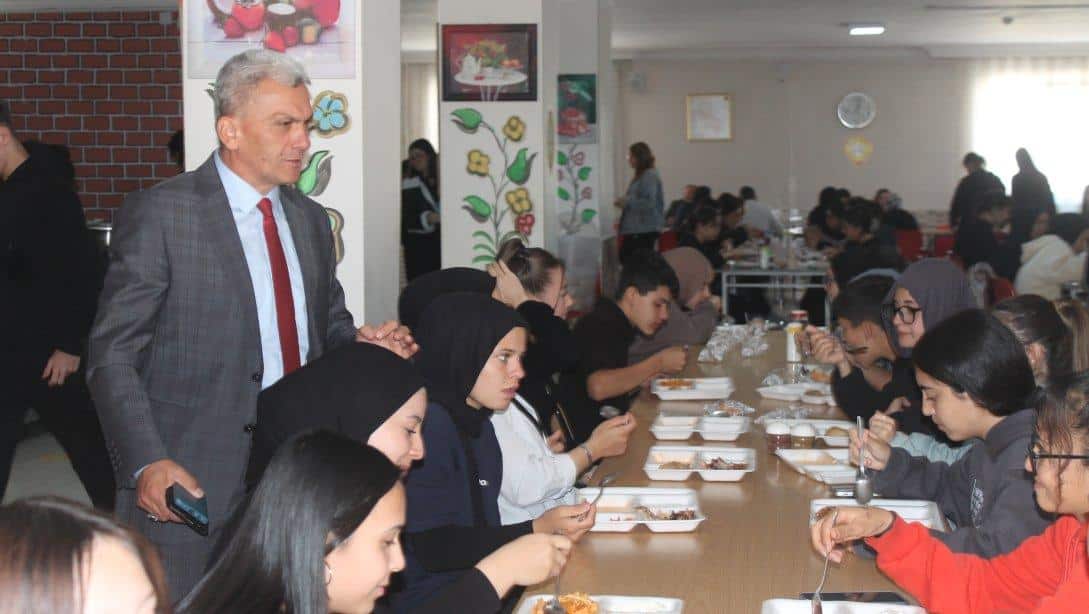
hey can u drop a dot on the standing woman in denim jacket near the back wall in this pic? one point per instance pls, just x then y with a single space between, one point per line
644 206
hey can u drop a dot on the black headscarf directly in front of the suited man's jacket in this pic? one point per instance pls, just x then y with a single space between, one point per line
352 391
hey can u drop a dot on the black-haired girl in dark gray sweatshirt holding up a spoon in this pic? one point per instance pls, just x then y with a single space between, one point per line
976 383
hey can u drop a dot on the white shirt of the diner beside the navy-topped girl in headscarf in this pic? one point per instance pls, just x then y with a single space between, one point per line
535 478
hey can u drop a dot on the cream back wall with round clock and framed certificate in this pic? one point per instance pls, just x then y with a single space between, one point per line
788 143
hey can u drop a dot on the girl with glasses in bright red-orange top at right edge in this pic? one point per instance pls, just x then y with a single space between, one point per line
1046 574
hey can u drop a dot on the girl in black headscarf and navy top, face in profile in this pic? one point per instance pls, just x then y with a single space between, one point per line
471 357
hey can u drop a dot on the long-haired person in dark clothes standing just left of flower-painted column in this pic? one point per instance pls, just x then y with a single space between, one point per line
421 235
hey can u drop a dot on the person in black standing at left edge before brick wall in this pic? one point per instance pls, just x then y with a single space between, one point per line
48 287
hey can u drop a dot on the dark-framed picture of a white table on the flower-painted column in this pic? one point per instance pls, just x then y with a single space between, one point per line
490 63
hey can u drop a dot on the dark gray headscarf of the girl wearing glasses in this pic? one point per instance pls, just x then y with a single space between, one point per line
940 289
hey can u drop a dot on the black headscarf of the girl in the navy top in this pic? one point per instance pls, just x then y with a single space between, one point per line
458 334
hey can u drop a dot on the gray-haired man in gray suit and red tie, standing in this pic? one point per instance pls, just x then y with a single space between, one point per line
222 281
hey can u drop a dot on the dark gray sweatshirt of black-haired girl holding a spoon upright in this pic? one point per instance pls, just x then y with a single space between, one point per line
987 494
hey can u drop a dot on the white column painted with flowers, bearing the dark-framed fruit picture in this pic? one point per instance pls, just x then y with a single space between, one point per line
482 204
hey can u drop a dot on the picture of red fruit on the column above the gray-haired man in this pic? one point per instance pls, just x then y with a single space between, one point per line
321 34
